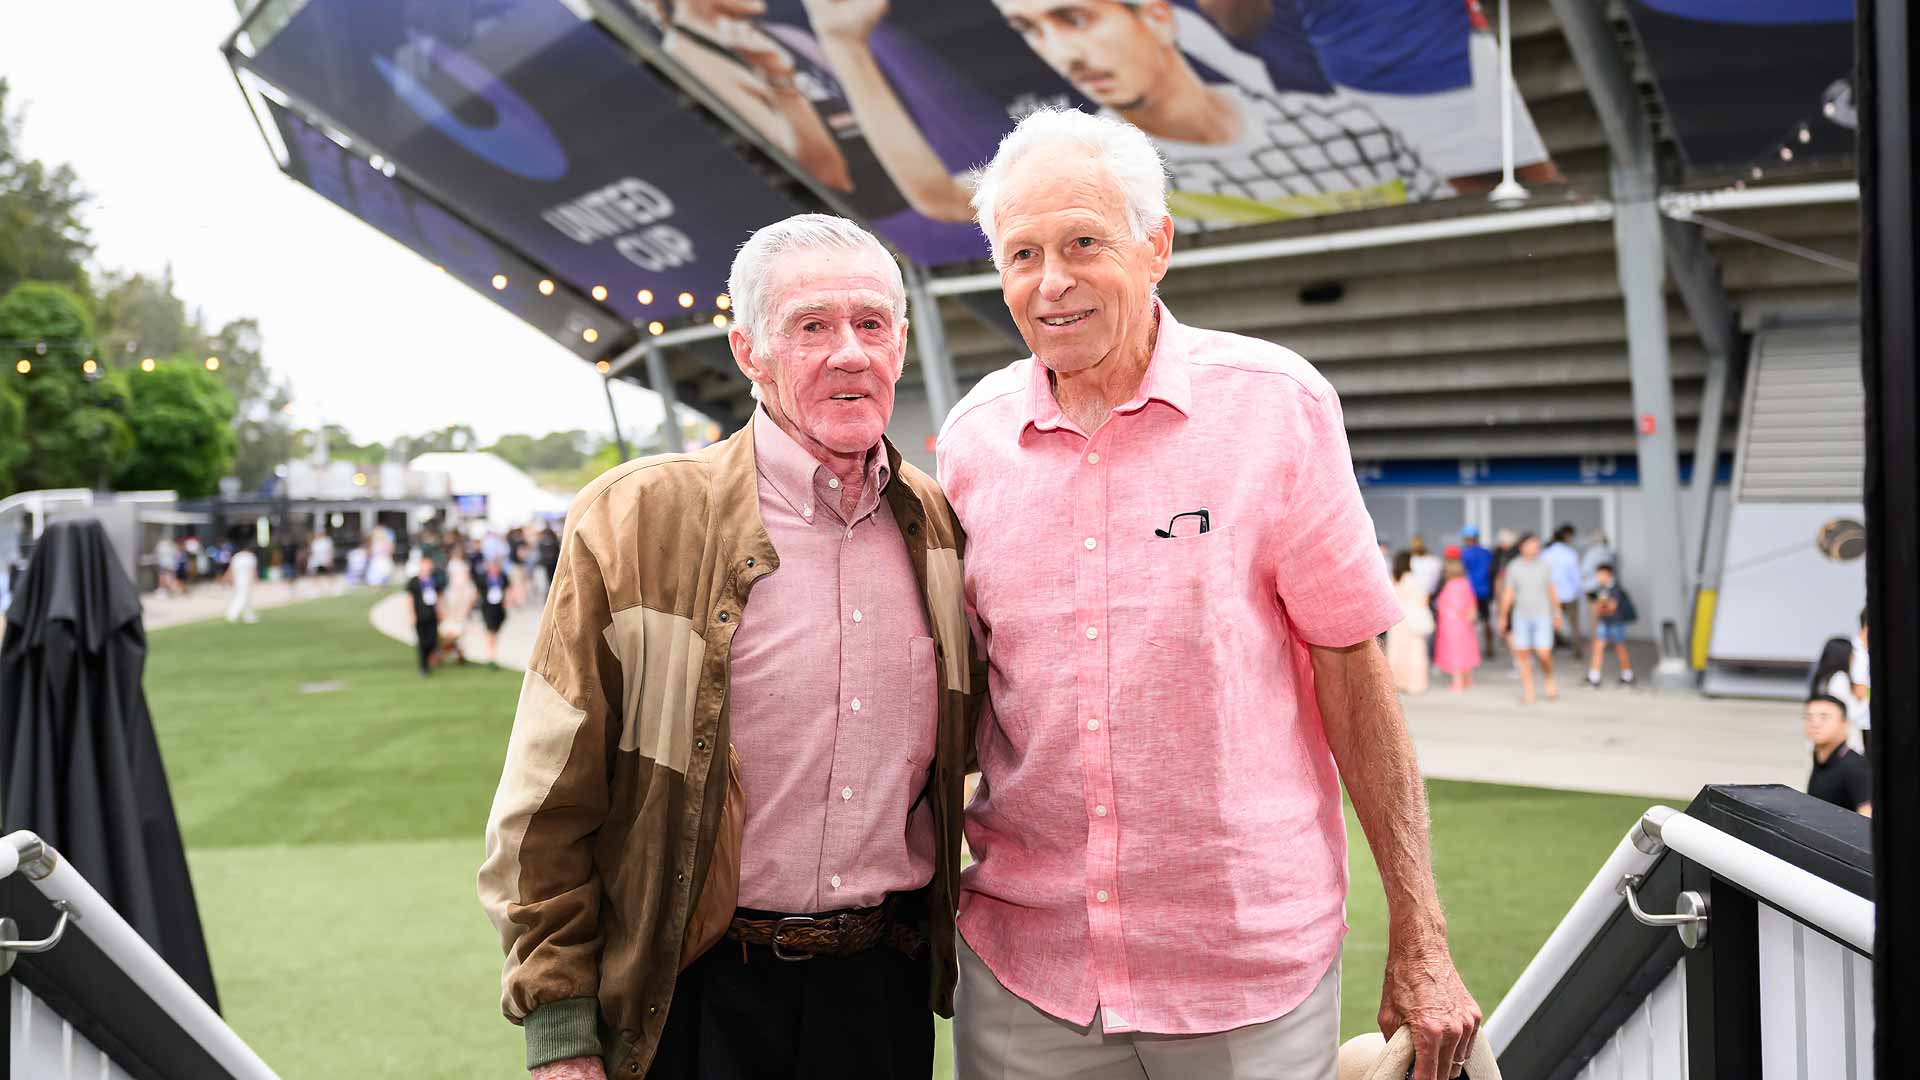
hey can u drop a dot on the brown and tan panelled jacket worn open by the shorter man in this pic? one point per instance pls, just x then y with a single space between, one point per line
612 831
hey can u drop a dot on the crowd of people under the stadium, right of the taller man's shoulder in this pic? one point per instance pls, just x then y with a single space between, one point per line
1524 595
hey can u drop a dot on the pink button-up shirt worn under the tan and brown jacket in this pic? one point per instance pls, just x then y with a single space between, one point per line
832 697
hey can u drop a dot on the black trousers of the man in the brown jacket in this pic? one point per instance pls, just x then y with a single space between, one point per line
761 1018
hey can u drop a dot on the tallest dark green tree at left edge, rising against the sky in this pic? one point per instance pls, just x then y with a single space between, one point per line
41 232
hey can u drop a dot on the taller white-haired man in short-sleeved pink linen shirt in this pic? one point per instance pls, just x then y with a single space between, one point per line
1178 591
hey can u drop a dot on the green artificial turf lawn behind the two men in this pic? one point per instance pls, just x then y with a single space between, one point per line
335 841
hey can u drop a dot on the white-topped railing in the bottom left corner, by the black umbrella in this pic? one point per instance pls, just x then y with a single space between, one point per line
91 916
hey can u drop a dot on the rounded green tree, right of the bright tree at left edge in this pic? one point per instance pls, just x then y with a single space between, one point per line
183 430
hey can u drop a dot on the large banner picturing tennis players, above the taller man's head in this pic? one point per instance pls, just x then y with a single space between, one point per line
1266 110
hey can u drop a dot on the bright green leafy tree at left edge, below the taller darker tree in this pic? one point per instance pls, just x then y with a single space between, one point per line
76 424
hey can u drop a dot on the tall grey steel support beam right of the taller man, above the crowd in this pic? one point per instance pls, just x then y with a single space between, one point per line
1641 257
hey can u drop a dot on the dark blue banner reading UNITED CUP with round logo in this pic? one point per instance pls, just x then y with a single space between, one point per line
542 132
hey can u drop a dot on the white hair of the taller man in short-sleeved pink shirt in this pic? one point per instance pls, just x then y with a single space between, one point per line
1124 151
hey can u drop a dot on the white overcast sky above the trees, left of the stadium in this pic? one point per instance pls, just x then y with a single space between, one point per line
139 101
